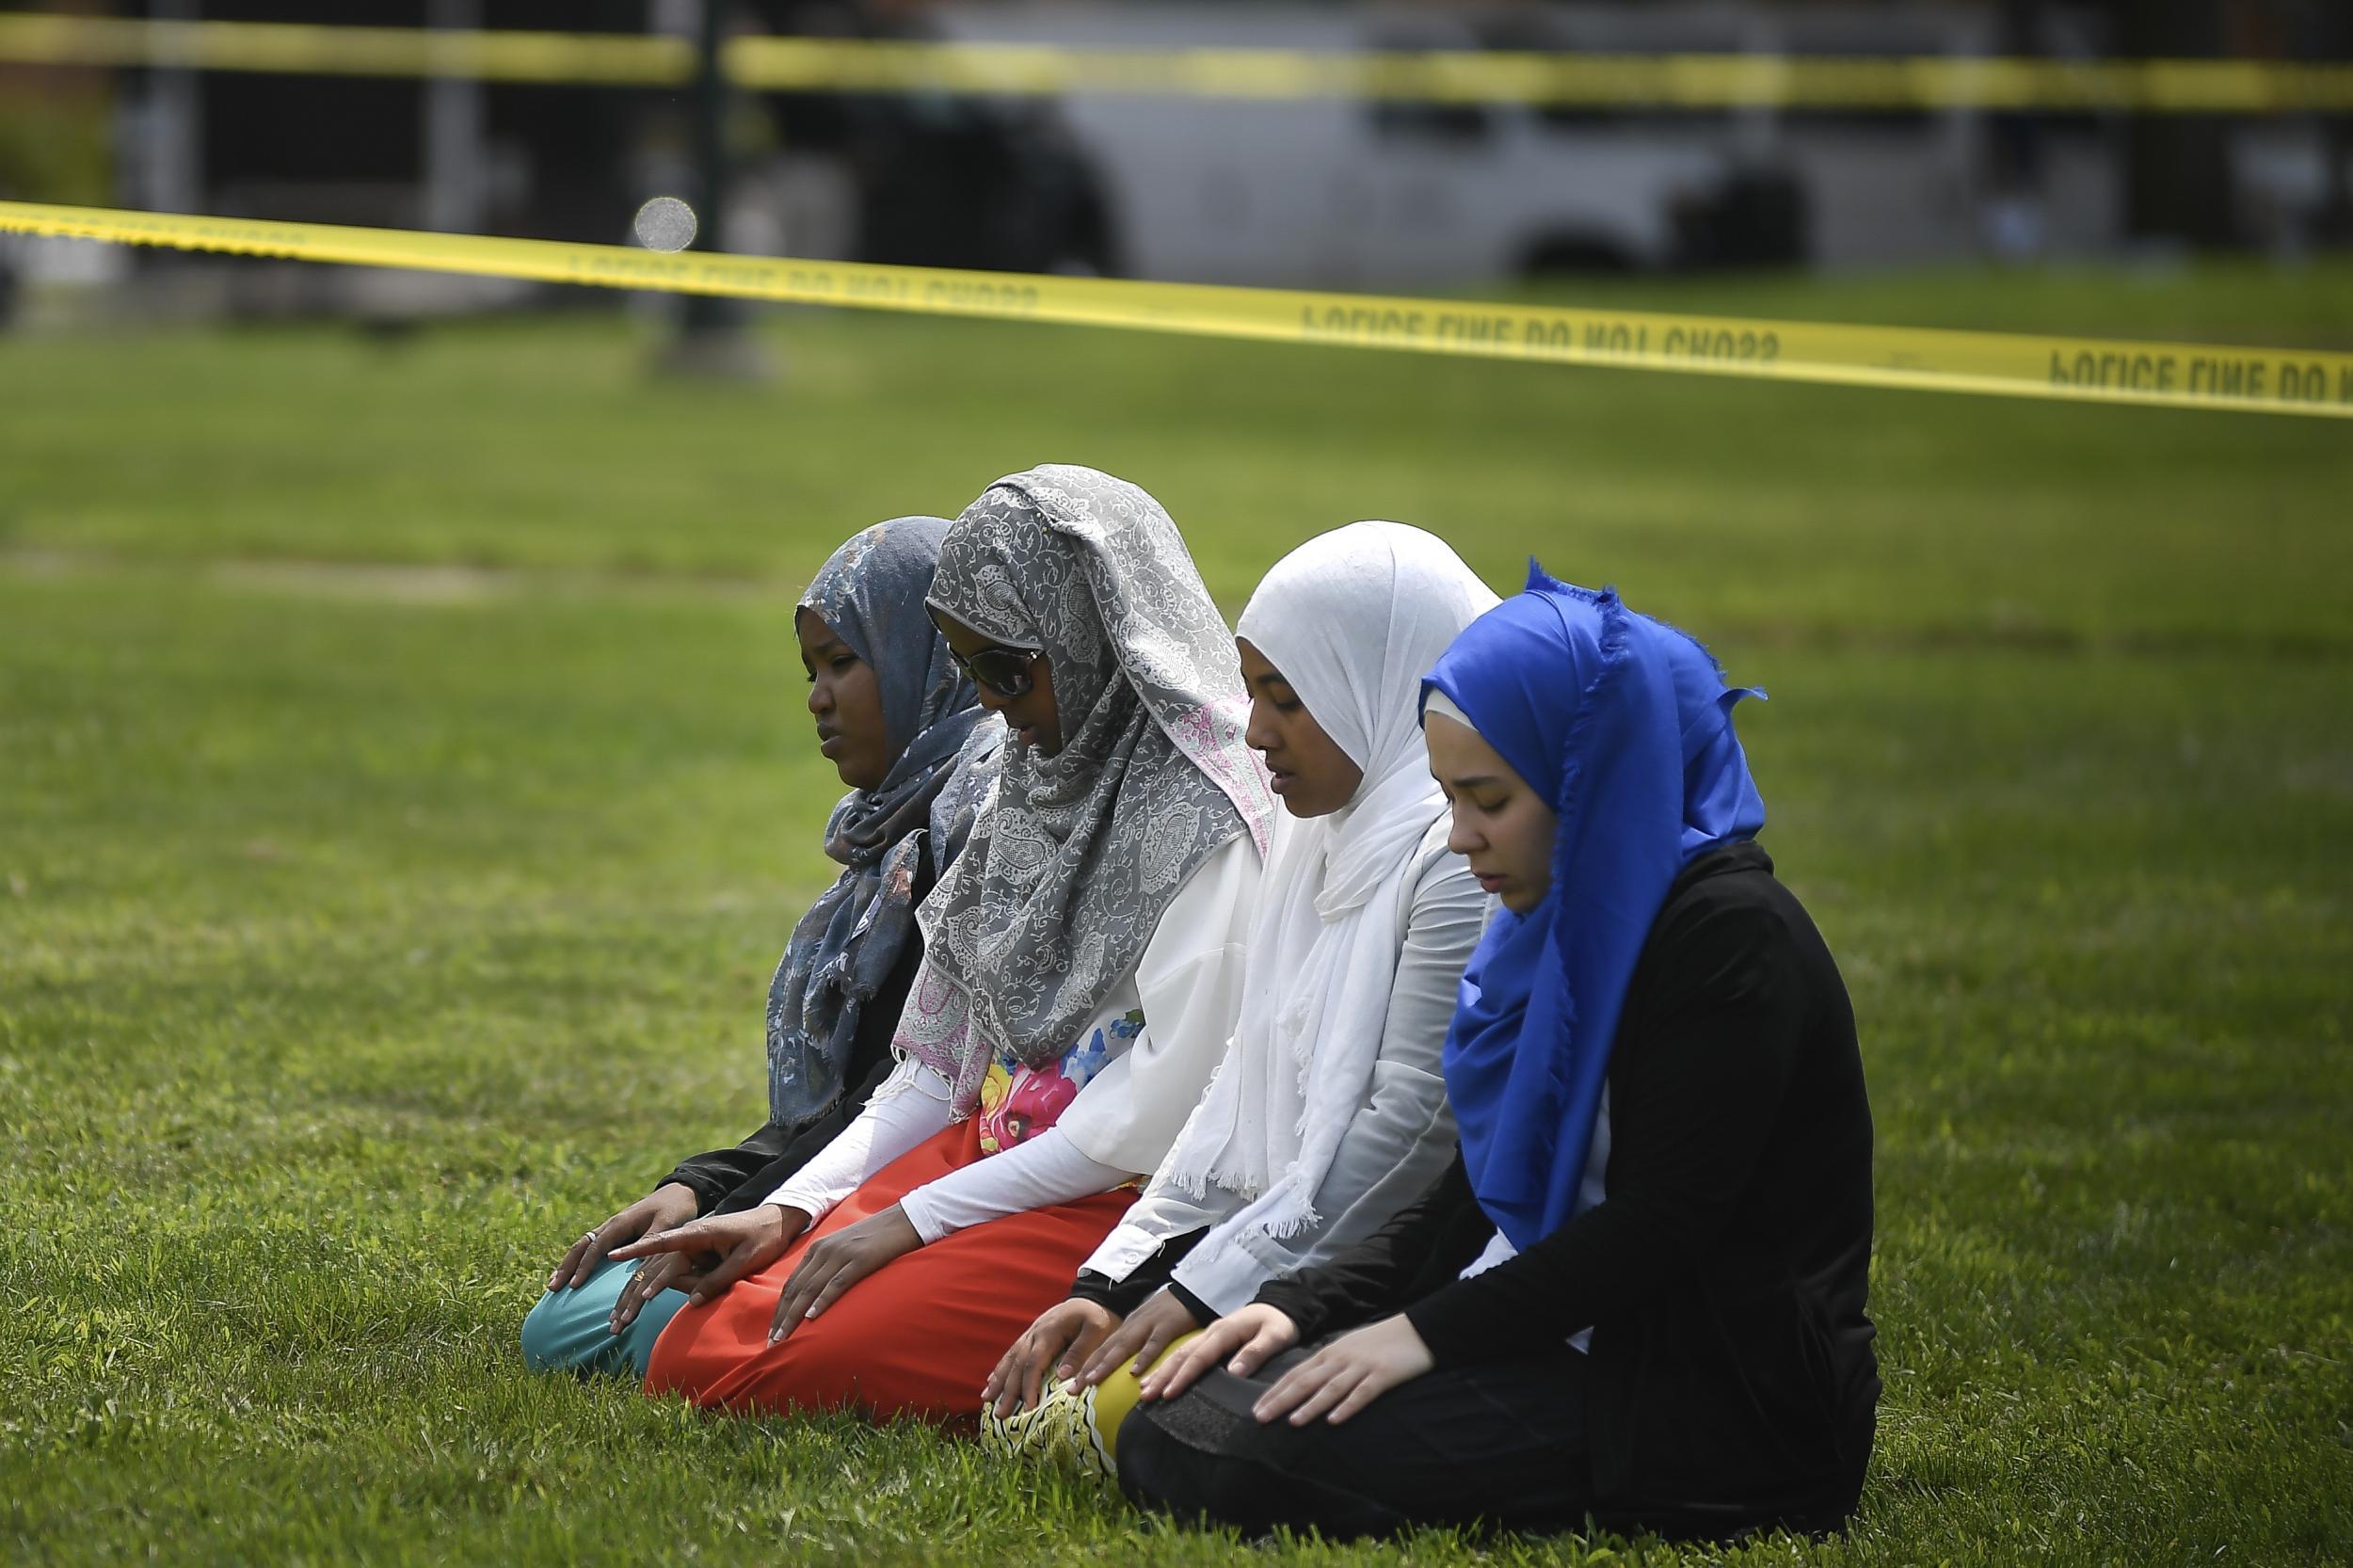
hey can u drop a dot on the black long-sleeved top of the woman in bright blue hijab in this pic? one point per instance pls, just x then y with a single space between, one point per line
1724 1275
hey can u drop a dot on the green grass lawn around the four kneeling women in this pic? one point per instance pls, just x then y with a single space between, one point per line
404 797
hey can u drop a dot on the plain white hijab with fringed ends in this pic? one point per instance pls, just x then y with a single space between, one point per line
1352 620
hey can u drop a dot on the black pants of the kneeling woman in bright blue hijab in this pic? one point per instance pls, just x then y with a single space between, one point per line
1498 1447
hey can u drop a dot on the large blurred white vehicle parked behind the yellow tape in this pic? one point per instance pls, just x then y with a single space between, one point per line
1352 194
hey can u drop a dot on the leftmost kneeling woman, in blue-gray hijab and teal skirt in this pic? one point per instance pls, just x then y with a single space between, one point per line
907 733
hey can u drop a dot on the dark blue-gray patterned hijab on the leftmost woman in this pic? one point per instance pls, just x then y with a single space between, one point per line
853 936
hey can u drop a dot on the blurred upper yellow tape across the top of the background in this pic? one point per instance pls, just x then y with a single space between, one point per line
865 65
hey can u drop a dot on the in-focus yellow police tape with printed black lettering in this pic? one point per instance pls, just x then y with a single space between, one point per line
1914 359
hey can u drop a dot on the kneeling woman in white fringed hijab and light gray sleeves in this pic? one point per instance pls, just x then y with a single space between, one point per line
1328 1112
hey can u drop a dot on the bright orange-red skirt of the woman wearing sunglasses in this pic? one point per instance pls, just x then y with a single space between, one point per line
914 1338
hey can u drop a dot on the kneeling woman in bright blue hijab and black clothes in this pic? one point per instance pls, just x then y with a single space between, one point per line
1639 1291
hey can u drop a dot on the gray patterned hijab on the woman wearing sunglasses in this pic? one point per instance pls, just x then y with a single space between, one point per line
1079 853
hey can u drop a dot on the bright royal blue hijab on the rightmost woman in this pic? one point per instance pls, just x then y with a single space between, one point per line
1648 776
